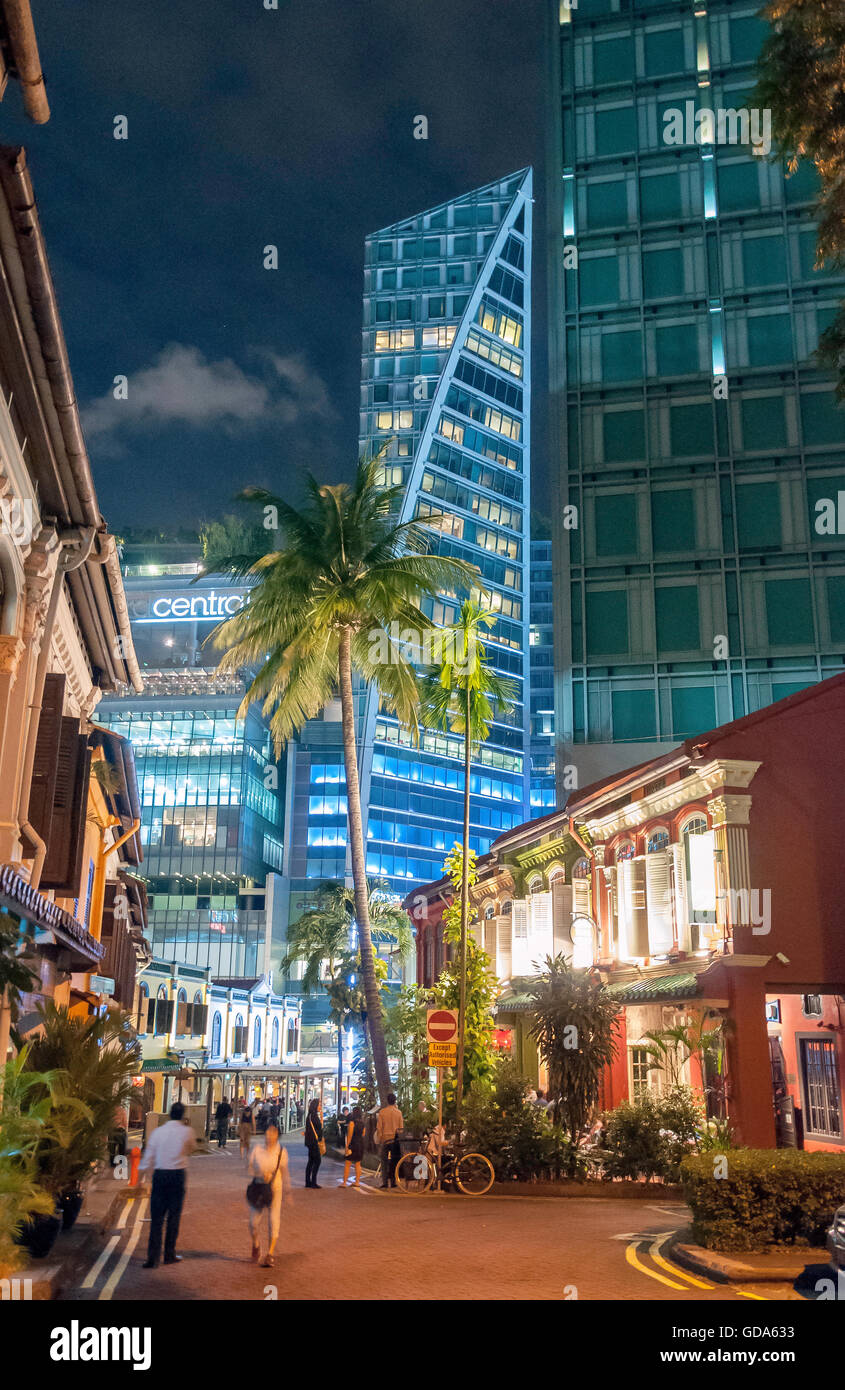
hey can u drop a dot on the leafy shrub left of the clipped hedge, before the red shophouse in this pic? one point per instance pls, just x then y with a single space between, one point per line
648 1138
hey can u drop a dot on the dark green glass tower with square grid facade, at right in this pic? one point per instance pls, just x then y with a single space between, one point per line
696 434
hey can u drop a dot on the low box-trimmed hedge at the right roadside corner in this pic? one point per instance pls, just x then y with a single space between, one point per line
766 1197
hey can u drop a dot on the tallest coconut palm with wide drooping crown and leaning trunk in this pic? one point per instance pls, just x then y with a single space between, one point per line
330 603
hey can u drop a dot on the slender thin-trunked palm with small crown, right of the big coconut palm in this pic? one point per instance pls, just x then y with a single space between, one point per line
462 696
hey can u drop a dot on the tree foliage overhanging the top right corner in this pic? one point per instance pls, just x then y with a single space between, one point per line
803 83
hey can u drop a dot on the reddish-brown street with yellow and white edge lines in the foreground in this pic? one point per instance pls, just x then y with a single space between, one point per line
365 1245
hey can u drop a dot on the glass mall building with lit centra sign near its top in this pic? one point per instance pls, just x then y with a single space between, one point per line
211 789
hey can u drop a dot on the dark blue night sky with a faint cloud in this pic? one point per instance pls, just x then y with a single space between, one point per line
249 127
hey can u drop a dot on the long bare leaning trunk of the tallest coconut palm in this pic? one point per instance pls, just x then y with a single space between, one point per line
359 871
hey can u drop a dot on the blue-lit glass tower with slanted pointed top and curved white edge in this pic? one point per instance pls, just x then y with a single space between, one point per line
447 382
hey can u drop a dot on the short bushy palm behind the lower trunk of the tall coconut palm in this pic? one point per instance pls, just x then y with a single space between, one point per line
323 942
